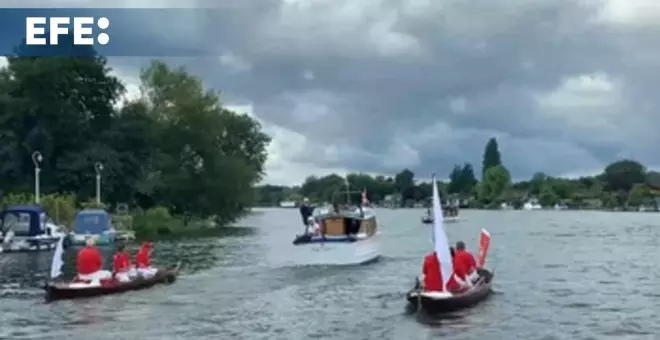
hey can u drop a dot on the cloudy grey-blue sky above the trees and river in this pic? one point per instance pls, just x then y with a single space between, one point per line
376 86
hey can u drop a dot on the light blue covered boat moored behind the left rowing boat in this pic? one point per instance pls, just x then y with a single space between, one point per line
95 223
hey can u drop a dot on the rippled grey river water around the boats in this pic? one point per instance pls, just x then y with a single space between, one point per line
559 275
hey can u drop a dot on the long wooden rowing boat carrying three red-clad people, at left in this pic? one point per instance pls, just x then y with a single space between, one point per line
66 290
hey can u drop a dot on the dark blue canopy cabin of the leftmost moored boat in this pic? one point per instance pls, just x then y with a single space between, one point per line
24 220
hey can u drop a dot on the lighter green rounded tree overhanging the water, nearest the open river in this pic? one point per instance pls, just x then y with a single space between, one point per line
201 146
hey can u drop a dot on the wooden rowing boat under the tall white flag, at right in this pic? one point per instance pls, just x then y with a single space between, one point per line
438 302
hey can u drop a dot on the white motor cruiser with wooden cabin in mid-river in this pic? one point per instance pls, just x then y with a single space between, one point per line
344 237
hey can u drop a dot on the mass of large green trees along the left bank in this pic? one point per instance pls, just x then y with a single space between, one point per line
176 147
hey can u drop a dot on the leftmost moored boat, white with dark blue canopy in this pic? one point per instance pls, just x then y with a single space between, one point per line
25 228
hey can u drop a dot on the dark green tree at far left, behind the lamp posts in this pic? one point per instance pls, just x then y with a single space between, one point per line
57 106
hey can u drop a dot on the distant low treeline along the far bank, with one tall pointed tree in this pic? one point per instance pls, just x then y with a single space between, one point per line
622 184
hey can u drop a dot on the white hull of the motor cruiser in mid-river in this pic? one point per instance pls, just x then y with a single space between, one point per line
336 253
